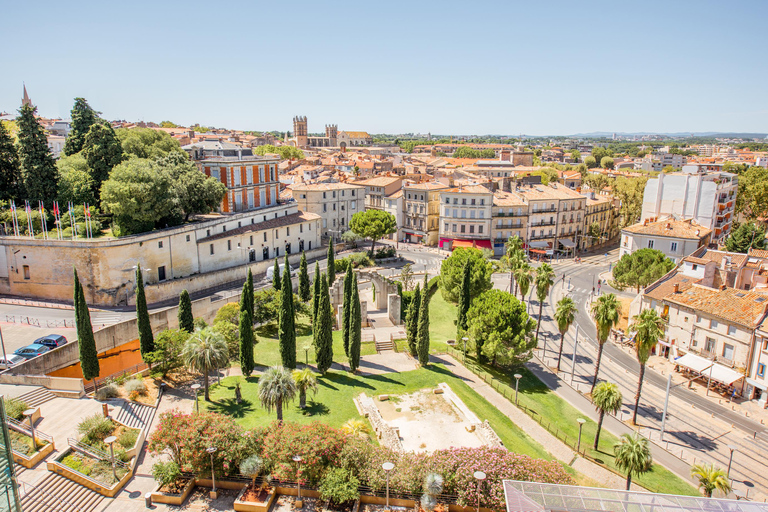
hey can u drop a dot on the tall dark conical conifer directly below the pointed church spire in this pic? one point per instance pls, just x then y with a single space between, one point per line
38 168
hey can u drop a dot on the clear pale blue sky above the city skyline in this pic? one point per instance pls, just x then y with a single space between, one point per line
554 67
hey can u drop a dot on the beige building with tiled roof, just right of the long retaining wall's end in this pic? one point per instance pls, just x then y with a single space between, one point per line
335 203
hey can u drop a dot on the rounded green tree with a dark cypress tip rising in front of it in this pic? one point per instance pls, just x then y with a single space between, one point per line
452 273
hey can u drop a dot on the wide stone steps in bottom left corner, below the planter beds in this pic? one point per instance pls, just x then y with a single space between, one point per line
54 493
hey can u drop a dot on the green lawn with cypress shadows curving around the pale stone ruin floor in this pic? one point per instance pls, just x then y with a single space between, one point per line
333 402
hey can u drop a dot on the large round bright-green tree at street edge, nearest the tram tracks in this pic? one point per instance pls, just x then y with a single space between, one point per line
500 328
